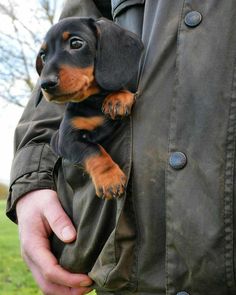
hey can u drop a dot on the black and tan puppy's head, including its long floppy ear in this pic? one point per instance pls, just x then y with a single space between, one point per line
80 56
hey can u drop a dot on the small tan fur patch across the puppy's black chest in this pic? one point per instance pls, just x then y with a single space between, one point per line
87 123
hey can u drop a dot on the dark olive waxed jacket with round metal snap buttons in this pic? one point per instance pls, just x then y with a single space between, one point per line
174 230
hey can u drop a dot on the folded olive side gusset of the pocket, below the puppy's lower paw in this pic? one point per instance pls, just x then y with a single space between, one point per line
115 268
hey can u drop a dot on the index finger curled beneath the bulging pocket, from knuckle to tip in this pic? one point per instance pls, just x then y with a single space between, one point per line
51 270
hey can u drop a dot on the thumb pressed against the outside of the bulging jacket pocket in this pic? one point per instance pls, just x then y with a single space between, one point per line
59 222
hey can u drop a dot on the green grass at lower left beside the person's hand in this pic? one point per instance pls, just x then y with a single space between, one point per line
15 278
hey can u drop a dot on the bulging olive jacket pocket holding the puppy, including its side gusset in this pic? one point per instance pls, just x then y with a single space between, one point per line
106 230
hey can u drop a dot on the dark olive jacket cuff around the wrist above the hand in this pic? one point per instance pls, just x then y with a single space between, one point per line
32 169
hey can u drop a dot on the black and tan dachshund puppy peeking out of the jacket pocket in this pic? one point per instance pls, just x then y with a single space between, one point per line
86 64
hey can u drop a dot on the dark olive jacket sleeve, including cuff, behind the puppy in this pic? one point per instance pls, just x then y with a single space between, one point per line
34 160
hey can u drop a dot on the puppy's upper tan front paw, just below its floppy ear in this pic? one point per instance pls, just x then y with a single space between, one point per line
118 104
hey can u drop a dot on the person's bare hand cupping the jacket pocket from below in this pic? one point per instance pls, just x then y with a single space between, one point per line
39 213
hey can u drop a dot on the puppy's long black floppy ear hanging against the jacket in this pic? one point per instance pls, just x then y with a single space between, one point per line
118 55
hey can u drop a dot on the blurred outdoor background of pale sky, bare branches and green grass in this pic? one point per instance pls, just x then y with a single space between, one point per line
23 26
